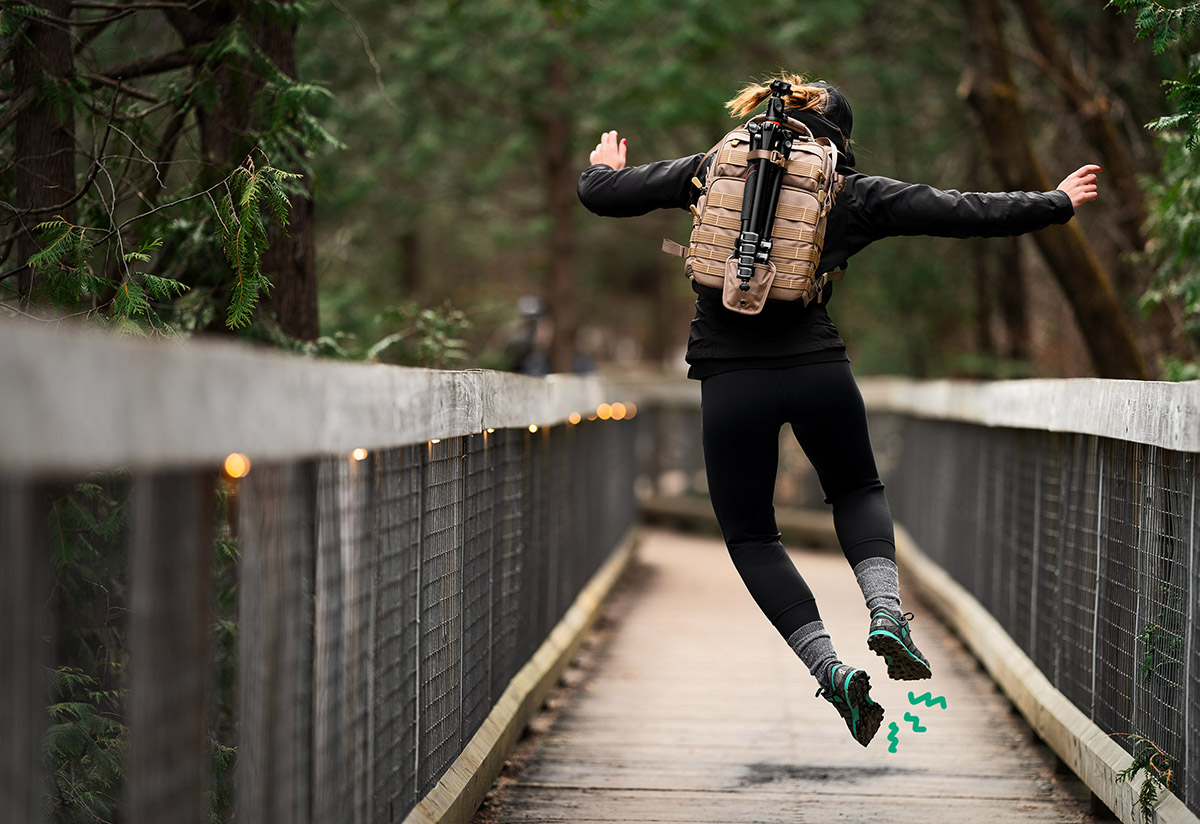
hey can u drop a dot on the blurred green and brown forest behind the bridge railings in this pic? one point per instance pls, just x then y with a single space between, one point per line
149 152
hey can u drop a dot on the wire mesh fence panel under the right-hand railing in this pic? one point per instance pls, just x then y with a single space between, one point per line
1085 550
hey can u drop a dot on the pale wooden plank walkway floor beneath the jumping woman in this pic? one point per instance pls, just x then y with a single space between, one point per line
697 712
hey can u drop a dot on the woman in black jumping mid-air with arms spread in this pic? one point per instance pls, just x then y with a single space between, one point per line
788 365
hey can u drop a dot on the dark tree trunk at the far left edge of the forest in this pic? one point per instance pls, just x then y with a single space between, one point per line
45 142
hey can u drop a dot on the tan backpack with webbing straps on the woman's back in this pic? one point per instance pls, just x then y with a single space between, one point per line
806 196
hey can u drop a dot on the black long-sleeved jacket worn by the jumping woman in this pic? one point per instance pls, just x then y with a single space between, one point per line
871 208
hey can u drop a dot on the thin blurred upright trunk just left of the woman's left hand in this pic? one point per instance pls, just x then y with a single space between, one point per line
560 196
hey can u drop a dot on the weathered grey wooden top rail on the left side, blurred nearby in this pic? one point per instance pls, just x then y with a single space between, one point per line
92 401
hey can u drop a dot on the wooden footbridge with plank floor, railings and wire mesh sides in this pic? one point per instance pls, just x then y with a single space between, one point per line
361 628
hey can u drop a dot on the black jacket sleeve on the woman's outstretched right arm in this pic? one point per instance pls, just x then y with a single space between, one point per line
885 208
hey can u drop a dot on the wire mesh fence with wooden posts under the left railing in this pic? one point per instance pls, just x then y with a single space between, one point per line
315 642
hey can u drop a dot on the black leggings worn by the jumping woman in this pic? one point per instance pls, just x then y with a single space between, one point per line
742 414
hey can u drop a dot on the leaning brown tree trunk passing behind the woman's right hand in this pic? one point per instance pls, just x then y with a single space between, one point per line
989 89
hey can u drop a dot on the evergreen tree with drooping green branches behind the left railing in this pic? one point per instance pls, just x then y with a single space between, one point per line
122 166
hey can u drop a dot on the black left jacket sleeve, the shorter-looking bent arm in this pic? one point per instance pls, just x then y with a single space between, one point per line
638 190
